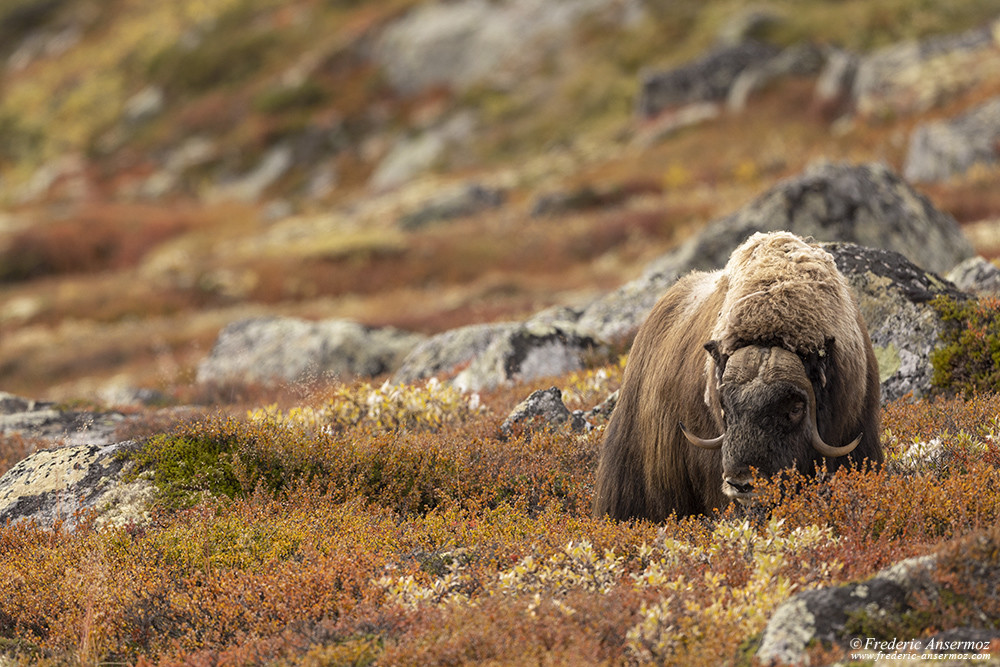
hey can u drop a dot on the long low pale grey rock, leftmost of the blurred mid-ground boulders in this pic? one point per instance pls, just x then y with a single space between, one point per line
287 349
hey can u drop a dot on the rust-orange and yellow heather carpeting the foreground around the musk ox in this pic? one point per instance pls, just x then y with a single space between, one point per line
308 537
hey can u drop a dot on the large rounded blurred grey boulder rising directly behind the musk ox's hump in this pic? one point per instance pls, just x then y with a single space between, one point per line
864 204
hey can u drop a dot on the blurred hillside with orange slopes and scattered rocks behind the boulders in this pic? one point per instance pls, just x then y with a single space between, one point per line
167 168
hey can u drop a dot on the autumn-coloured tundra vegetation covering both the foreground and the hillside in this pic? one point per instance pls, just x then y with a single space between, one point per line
356 523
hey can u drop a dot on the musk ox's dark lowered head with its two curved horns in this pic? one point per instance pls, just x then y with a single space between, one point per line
770 415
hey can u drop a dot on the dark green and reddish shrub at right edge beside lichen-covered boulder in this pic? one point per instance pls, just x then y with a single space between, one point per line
968 361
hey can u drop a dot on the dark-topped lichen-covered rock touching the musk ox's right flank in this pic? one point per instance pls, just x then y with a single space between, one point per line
893 295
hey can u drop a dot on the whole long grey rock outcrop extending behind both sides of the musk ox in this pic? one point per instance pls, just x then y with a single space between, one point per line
888 239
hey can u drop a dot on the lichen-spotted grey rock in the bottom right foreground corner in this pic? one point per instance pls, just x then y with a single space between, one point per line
822 615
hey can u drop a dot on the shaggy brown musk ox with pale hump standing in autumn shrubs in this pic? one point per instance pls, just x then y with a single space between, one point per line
763 365
